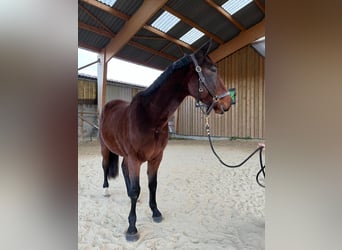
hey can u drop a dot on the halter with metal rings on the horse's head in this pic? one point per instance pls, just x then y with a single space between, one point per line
202 82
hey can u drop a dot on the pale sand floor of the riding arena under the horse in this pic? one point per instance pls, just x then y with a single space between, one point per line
204 204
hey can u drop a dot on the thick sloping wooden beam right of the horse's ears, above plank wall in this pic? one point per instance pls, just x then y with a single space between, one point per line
243 39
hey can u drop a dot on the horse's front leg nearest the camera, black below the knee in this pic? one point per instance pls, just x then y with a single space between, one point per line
131 171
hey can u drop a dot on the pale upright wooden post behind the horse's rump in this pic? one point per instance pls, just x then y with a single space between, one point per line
101 80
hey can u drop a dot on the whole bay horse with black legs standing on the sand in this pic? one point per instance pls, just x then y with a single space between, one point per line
138 131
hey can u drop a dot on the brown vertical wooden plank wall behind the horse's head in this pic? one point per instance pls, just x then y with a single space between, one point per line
244 70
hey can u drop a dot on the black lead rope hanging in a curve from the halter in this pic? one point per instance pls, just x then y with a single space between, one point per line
260 148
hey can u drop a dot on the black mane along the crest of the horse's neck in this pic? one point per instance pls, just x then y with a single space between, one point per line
180 63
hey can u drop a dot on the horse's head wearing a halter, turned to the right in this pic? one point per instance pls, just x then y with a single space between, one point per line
206 86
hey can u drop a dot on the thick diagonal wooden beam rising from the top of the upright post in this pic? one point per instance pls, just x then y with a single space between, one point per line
132 26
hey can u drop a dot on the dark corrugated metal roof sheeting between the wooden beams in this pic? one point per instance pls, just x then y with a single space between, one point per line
149 48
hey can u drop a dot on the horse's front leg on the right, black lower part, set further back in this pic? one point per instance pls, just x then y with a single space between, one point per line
152 171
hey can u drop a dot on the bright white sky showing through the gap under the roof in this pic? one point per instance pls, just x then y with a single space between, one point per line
118 70
